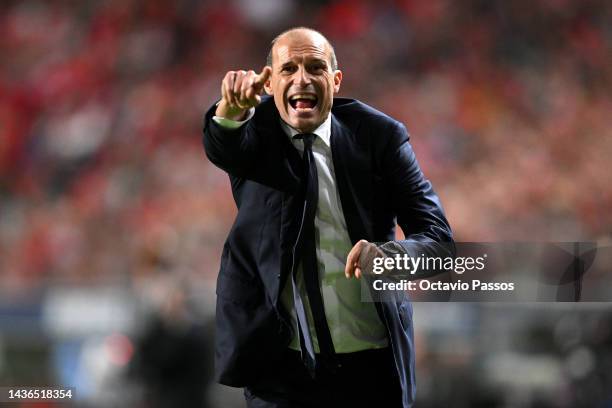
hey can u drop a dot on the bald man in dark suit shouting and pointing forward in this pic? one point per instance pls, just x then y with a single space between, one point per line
317 180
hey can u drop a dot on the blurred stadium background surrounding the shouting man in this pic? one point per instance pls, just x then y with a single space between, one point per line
112 220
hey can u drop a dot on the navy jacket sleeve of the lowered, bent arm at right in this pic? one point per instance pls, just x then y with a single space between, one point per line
418 208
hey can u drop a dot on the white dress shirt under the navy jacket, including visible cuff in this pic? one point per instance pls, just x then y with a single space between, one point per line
354 325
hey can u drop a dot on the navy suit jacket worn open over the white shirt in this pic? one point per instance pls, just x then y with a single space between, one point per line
380 185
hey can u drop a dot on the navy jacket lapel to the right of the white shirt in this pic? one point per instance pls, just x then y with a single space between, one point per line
352 167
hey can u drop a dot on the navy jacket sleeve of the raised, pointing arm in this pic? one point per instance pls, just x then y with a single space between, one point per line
232 150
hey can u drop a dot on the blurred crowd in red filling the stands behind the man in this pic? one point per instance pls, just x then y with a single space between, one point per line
102 174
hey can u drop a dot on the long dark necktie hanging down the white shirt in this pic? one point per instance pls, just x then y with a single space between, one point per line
308 254
